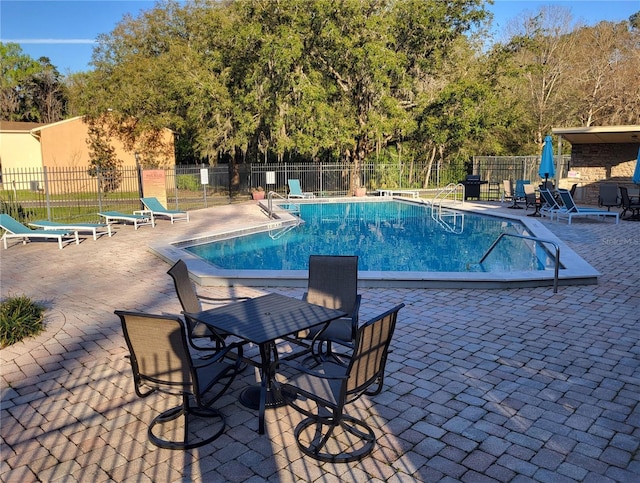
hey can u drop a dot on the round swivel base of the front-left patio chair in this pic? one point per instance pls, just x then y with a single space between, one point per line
186 413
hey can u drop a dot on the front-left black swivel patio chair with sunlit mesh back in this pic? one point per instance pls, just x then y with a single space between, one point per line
161 362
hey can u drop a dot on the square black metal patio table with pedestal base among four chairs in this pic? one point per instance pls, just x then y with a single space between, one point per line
262 320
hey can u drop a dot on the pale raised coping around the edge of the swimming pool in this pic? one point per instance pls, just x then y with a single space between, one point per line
575 271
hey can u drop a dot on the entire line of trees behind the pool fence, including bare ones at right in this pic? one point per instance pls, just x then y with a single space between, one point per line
322 80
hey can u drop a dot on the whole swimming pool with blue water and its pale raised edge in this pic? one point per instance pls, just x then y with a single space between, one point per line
425 248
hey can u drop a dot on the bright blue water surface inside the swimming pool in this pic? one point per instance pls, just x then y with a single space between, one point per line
386 236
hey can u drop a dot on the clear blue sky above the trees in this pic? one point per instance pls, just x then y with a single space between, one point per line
65 30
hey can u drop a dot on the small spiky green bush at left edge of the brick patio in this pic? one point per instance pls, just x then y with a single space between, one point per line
20 317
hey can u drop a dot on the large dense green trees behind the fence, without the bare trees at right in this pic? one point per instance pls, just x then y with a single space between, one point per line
276 80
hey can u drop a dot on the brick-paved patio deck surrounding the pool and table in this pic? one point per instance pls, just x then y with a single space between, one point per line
482 384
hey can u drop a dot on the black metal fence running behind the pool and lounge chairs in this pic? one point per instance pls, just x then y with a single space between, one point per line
76 194
